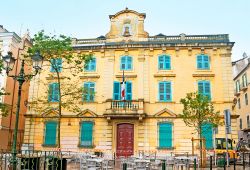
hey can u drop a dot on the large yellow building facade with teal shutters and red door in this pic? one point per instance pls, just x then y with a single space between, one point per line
159 71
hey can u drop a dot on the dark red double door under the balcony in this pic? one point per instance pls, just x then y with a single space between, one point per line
125 140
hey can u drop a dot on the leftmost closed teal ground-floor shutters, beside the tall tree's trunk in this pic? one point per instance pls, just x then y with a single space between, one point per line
50 133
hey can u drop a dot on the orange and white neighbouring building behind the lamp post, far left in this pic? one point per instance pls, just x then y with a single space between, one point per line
10 41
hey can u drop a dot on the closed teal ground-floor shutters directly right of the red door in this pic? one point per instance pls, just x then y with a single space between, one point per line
165 135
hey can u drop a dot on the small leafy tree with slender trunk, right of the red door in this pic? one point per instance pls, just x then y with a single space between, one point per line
198 110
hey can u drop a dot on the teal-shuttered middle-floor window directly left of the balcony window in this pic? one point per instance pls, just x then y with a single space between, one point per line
88 92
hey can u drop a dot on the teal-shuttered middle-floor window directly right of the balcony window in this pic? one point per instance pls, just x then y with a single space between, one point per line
165 91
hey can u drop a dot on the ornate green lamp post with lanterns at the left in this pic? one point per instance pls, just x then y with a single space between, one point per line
9 62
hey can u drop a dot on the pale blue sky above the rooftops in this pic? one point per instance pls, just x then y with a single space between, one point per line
89 18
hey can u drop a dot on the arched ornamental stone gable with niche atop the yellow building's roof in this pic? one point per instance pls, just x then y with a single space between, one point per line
127 25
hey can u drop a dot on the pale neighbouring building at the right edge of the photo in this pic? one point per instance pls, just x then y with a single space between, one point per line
241 72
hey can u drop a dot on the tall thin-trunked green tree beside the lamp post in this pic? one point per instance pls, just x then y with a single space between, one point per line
54 48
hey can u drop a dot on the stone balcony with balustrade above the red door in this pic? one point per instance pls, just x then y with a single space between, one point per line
124 109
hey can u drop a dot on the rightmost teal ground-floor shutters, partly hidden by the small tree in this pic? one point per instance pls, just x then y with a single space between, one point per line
207 133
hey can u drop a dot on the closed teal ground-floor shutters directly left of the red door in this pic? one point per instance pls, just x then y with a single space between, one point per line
86 134
